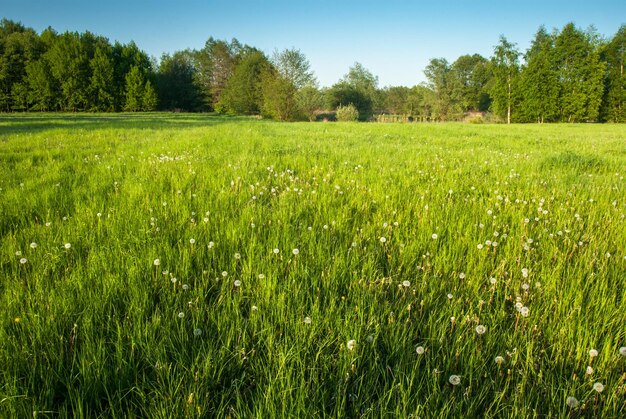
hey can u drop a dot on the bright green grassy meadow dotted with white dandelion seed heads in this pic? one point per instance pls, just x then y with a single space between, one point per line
192 266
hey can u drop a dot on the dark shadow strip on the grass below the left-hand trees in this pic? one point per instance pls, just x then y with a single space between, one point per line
30 123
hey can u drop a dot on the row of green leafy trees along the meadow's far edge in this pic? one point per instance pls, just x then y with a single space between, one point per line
567 75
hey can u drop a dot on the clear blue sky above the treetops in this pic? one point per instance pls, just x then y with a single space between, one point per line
394 39
